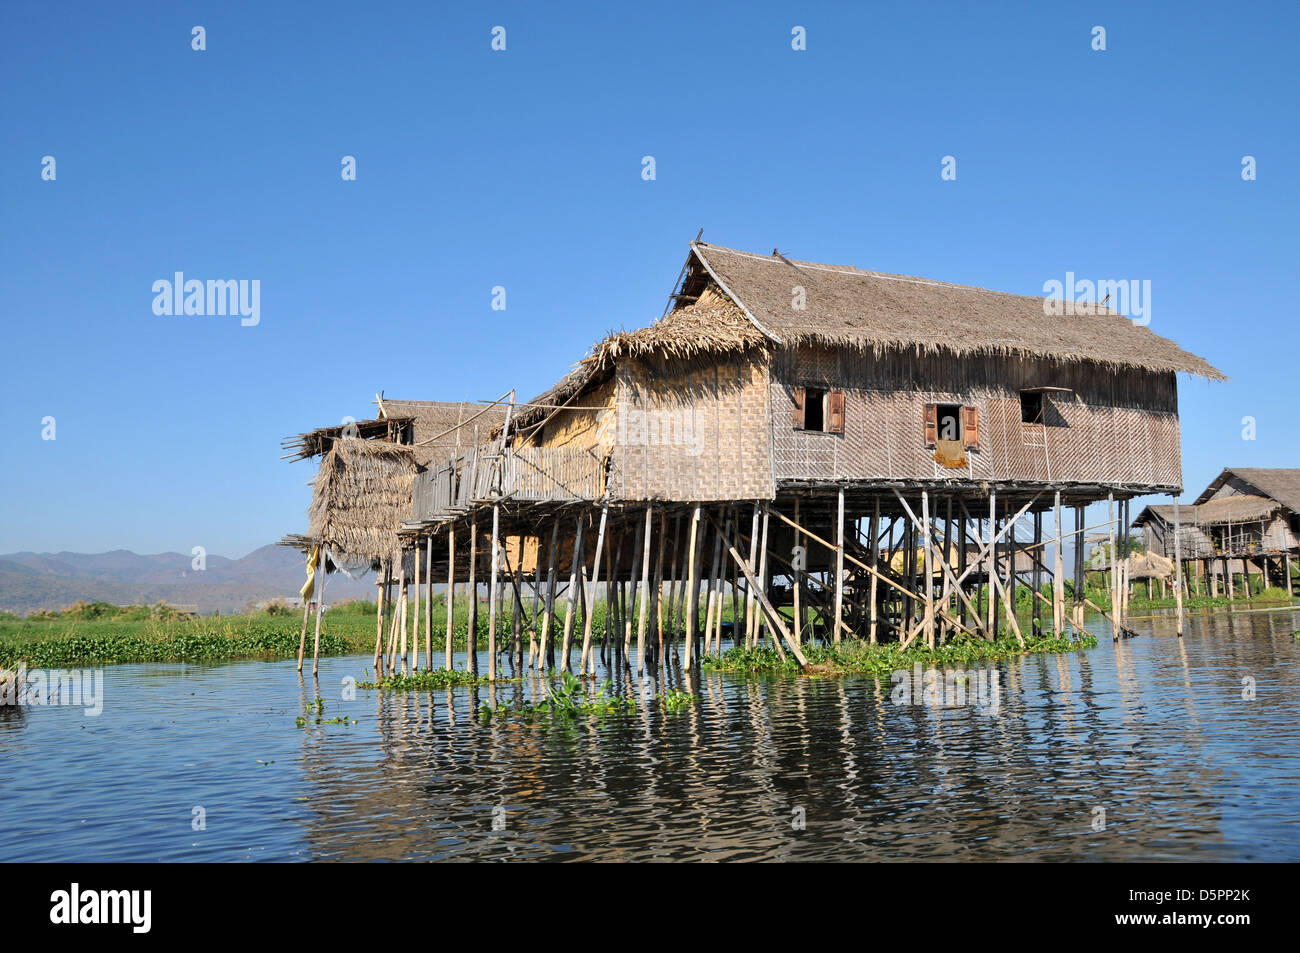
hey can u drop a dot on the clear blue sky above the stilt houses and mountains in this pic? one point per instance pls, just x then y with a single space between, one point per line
523 170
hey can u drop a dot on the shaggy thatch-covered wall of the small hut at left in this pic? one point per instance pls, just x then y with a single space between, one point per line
361 499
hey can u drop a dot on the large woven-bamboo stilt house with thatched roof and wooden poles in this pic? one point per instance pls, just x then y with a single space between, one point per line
801 436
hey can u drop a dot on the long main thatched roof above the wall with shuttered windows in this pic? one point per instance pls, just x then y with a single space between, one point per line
848 307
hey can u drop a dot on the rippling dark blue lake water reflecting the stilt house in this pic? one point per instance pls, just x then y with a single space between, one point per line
1143 750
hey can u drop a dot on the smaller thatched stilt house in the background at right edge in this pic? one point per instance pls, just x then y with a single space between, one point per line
1246 525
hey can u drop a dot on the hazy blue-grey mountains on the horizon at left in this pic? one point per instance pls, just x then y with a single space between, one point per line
53 581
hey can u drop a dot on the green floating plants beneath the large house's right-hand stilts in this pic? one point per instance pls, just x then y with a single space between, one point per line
864 659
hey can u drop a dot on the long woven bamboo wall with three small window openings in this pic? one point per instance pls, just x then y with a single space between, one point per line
1112 428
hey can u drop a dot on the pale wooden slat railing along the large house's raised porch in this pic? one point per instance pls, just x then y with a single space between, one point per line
487 474
